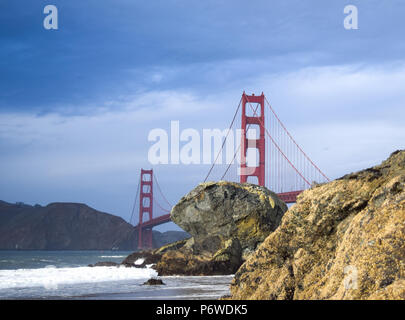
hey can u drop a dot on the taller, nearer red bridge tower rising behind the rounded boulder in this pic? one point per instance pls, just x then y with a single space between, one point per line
247 143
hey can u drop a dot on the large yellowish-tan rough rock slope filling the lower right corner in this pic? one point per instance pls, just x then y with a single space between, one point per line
341 240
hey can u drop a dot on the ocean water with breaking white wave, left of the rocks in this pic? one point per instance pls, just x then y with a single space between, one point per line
66 275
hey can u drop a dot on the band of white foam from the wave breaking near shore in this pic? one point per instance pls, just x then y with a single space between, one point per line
51 277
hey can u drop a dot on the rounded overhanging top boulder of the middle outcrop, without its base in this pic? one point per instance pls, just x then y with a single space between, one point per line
215 212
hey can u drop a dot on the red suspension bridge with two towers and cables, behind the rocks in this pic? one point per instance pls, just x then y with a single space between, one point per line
280 164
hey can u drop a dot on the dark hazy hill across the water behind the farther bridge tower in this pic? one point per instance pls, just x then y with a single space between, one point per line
69 226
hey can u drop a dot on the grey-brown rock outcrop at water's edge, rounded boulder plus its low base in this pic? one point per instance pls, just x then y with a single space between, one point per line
227 221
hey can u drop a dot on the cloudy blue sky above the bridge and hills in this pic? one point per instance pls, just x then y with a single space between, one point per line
77 103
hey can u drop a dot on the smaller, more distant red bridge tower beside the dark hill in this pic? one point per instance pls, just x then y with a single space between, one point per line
145 207
